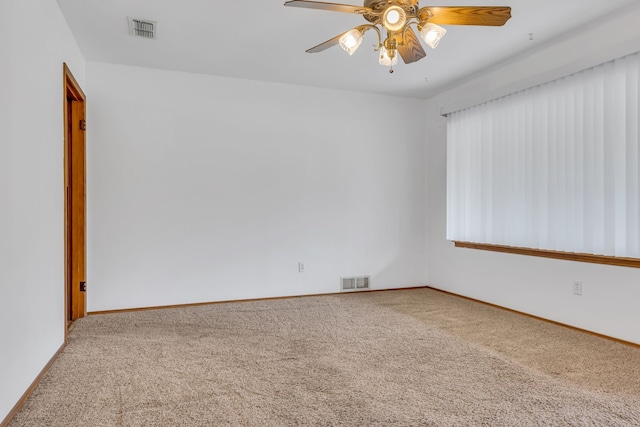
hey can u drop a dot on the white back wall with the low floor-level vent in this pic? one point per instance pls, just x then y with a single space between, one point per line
203 188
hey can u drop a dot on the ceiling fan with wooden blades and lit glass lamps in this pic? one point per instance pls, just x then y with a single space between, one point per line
396 17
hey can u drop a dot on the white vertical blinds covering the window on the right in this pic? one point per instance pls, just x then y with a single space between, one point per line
554 167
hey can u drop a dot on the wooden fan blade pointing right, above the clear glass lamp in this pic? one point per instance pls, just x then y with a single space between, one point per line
467 15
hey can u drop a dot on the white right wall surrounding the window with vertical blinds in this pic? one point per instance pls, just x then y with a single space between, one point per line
542 287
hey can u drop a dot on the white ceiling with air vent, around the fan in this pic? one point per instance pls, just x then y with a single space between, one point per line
263 40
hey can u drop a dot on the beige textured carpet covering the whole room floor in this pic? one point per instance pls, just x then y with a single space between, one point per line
409 358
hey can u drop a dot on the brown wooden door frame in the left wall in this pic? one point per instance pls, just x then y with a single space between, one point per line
74 299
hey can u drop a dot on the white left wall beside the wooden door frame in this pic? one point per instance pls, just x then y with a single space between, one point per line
34 42
